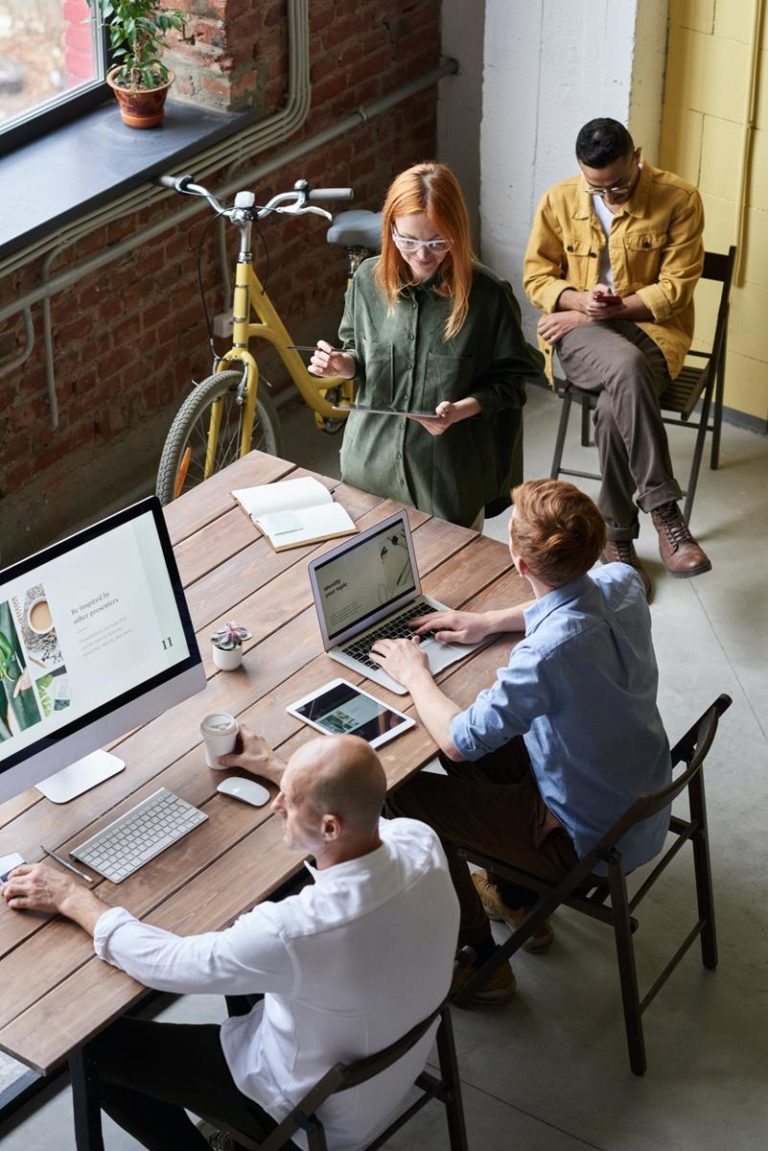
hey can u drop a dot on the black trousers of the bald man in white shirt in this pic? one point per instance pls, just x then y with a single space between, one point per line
150 1072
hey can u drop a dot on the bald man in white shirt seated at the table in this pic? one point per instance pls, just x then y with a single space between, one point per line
346 967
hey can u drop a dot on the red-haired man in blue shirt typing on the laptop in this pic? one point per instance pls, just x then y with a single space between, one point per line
566 738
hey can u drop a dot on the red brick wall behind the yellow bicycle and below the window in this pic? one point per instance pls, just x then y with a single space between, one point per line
121 365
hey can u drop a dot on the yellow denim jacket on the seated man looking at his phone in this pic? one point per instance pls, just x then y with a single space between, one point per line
656 250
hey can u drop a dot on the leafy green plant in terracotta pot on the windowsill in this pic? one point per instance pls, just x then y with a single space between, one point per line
140 80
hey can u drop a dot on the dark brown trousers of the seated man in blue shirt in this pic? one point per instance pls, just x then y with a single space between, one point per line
495 806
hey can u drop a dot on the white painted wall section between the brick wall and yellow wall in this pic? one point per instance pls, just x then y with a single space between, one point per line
548 67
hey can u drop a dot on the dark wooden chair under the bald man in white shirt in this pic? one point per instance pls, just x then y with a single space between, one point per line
445 1087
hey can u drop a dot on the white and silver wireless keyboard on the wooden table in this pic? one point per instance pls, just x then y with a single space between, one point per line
140 835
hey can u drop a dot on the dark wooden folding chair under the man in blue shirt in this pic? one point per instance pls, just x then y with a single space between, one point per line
609 900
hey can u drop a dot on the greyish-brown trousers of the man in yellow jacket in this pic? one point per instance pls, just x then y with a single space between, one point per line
628 371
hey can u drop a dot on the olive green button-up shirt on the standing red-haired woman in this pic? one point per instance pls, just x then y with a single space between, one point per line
404 362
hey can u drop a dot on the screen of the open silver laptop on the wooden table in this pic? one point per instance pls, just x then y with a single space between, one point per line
369 576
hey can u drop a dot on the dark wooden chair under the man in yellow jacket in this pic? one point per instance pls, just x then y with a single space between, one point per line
697 384
